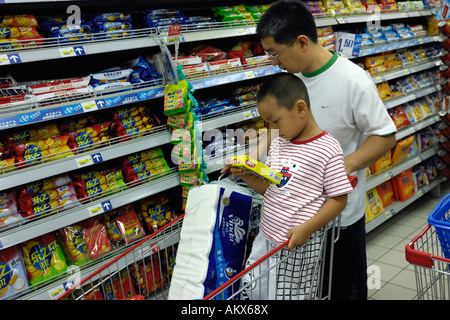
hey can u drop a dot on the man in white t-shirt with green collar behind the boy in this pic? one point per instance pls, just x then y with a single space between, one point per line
345 103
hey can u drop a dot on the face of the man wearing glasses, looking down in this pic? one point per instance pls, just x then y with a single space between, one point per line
289 58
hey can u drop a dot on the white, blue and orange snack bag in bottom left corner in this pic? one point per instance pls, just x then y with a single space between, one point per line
13 275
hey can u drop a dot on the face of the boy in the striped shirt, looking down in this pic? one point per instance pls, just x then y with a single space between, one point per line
290 123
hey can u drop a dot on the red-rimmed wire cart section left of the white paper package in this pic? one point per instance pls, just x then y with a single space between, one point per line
143 271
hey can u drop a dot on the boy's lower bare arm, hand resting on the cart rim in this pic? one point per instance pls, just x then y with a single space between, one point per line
299 234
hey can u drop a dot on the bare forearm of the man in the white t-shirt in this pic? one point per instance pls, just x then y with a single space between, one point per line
369 152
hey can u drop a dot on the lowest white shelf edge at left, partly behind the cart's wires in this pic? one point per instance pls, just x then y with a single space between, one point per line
58 287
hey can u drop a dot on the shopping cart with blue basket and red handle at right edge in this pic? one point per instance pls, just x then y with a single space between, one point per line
428 252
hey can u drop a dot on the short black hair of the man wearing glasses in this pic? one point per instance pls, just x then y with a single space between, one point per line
285 20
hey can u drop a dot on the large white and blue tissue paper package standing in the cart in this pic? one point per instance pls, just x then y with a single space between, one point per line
213 240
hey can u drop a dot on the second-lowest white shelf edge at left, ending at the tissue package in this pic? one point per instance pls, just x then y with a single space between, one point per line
59 220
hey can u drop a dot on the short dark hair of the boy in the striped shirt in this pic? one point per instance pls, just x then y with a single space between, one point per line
286 88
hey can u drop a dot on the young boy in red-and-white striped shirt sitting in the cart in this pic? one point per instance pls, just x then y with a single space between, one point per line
315 185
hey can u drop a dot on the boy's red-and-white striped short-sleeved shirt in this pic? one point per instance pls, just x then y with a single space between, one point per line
313 170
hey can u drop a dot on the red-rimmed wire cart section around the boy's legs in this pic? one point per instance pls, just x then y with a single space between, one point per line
284 274
